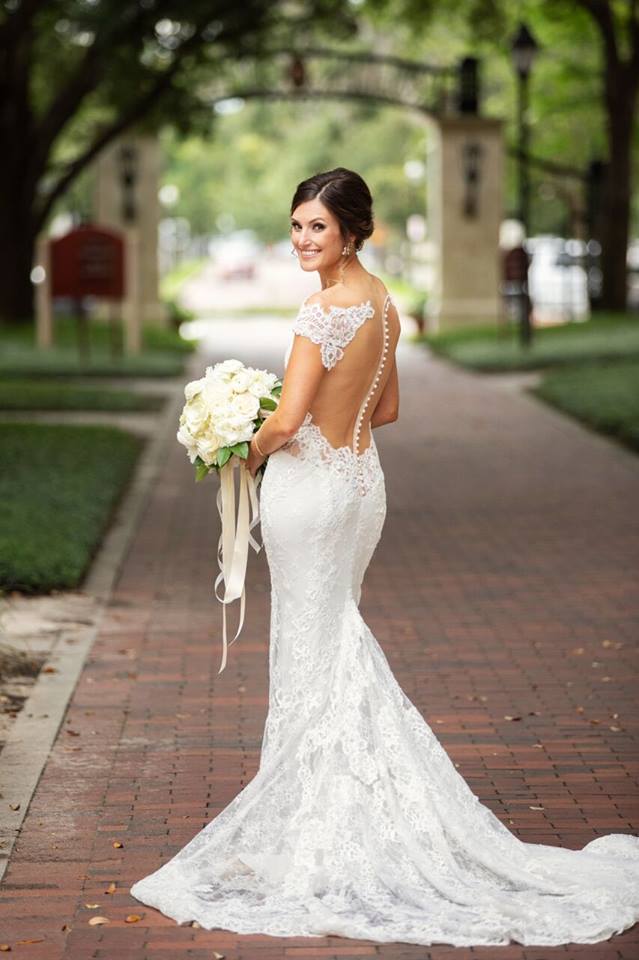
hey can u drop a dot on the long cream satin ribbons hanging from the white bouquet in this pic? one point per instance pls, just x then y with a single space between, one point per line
232 547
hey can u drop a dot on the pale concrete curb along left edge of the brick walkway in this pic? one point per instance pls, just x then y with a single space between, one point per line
29 742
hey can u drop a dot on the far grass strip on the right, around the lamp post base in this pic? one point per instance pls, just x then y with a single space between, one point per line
489 349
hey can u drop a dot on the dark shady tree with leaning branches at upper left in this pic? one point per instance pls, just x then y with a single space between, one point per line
75 75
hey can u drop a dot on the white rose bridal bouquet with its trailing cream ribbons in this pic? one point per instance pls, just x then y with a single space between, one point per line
222 412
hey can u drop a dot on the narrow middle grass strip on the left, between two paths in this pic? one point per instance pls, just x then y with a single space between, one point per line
52 394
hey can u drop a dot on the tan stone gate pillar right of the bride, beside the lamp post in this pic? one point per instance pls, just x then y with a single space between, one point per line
465 172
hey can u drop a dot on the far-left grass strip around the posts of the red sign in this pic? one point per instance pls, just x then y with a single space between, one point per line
163 354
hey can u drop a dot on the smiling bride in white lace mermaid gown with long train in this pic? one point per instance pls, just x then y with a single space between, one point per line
357 822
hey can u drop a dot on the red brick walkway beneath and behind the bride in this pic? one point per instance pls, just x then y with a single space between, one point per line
503 592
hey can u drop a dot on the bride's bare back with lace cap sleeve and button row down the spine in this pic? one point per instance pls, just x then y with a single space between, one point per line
358 339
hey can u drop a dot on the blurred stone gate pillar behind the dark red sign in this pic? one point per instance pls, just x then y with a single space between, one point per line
126 198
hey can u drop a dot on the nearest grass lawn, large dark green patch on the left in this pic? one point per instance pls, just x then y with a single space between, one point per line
58 489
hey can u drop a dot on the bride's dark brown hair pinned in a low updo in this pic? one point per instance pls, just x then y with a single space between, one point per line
346 195
